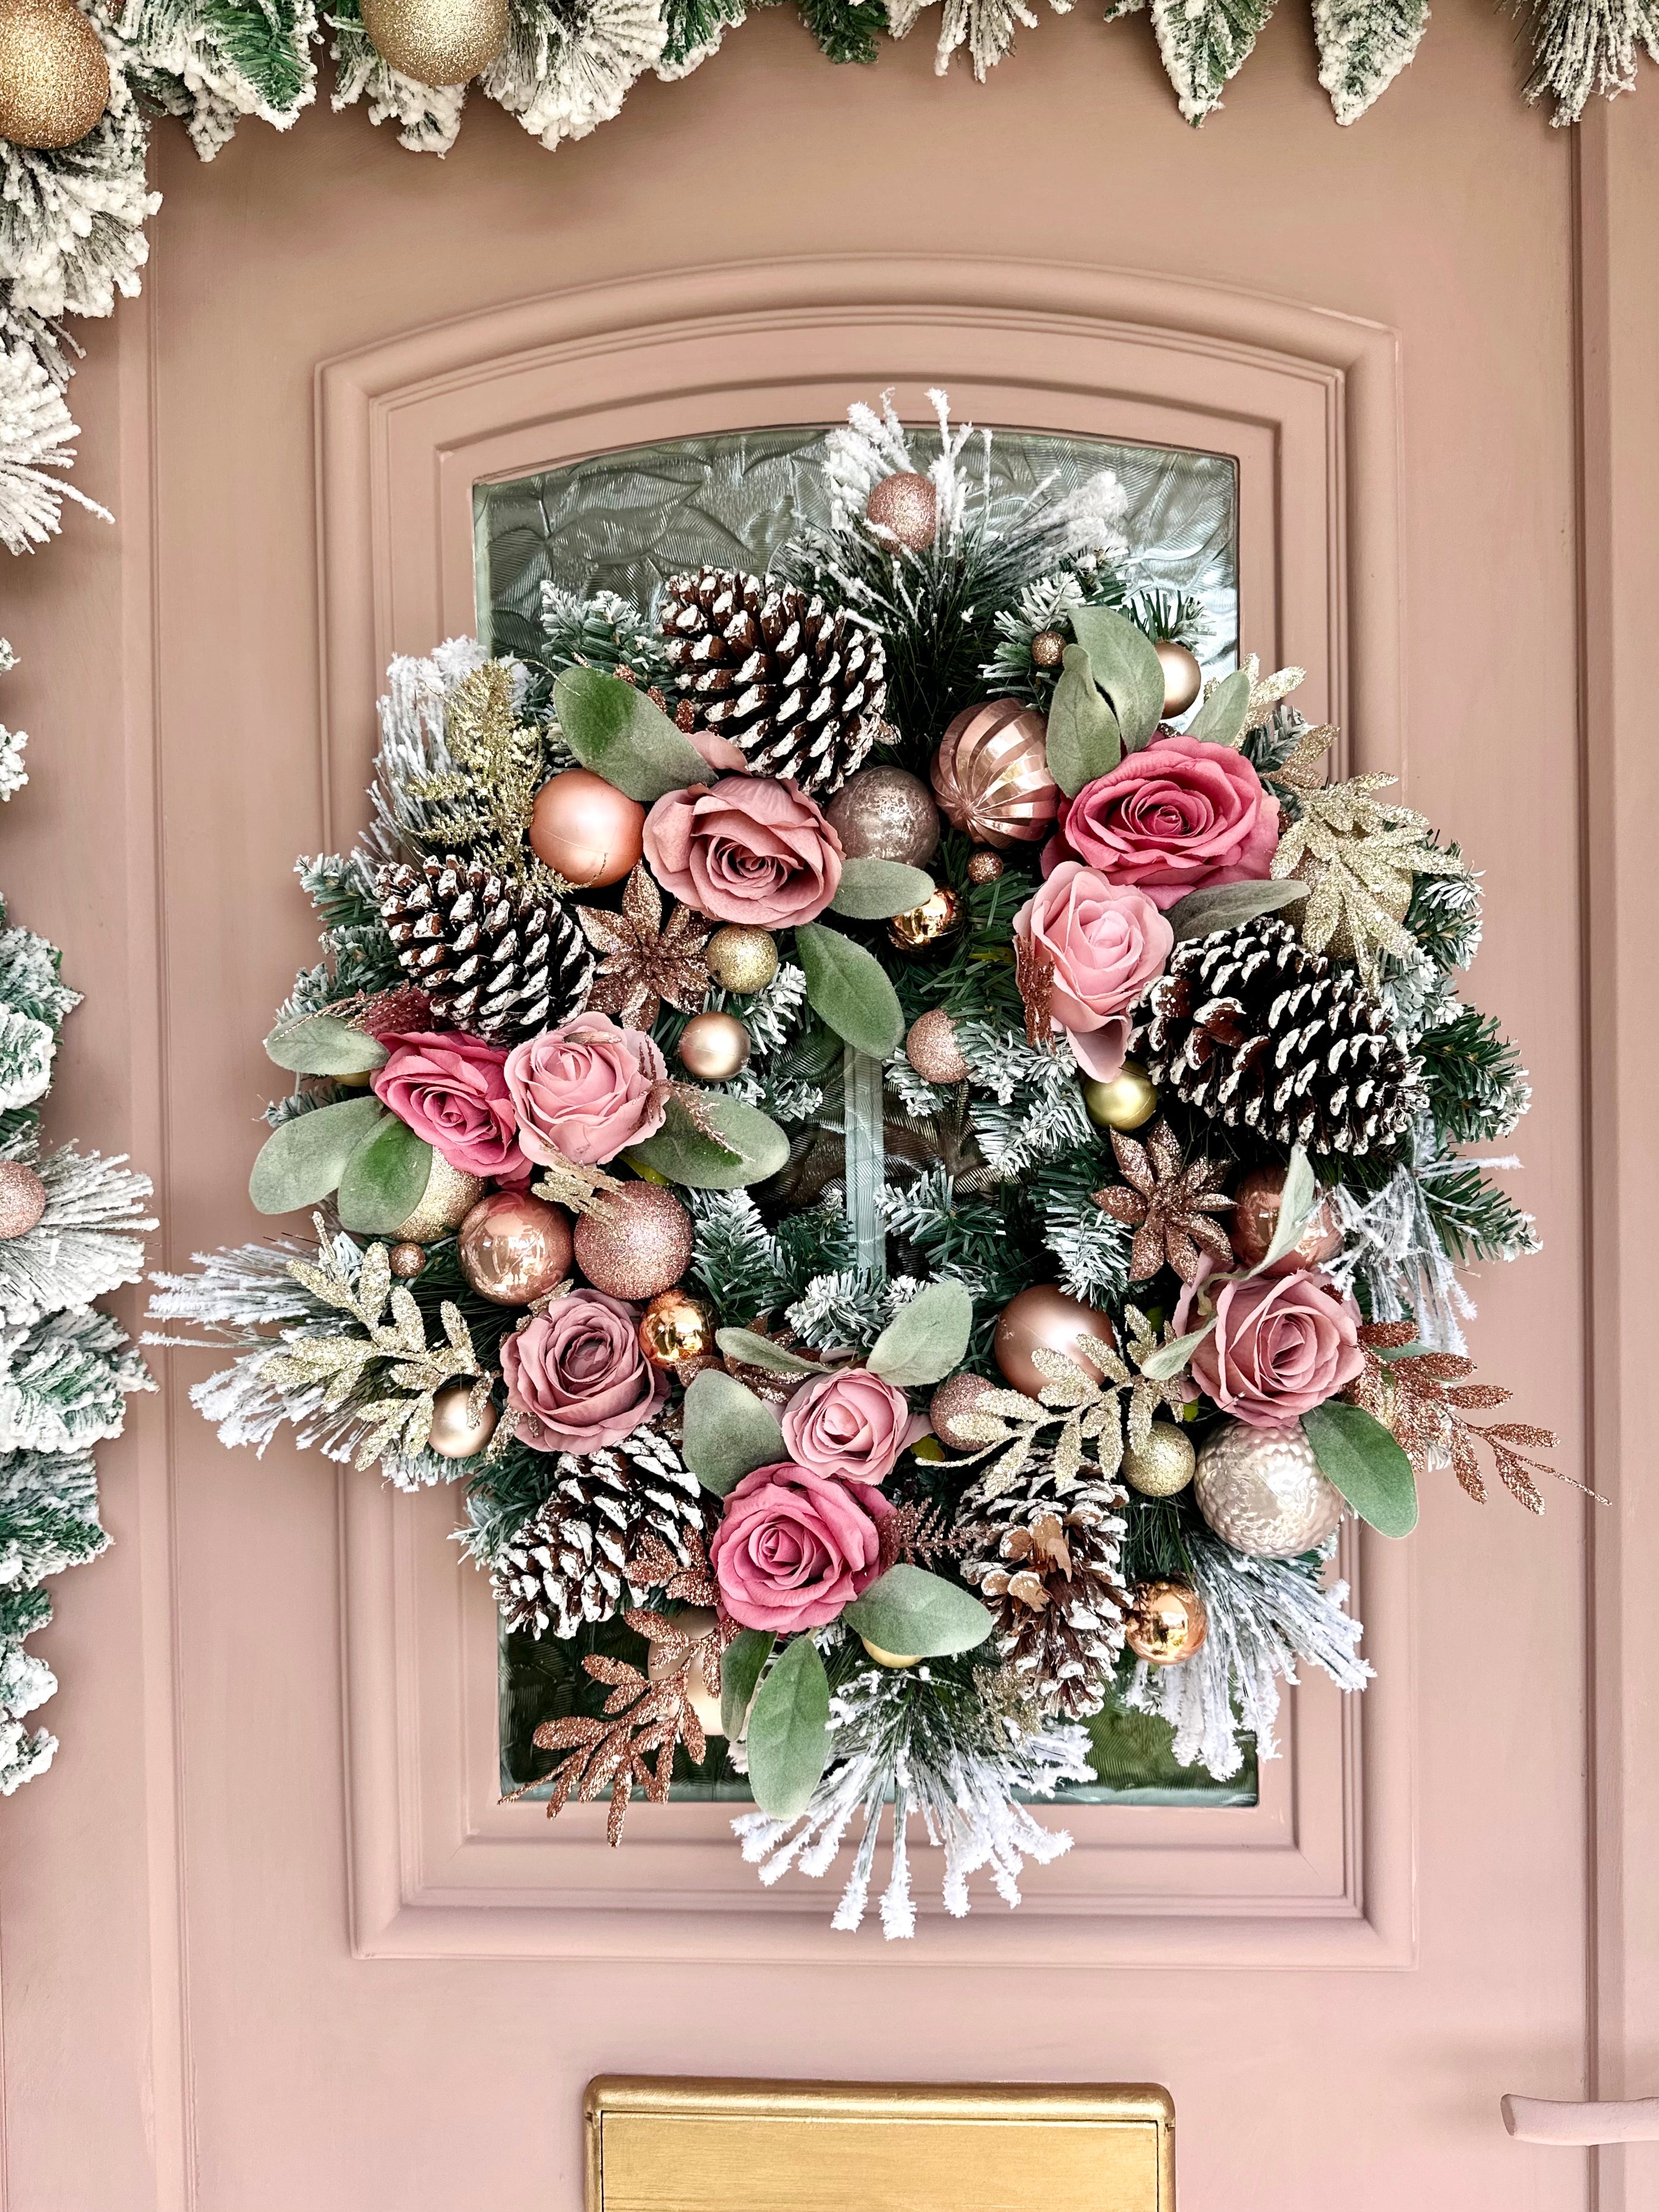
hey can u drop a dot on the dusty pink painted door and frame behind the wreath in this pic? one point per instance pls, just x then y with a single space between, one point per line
269 1937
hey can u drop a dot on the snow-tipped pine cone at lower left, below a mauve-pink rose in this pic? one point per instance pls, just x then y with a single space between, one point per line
570 1561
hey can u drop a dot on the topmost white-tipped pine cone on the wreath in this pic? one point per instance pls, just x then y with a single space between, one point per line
791 682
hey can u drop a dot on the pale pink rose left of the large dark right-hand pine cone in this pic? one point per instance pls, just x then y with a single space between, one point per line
1105 946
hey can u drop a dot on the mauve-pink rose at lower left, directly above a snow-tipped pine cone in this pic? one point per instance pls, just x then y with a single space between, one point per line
576 1375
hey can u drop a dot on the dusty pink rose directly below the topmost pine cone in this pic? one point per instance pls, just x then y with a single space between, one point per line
747 851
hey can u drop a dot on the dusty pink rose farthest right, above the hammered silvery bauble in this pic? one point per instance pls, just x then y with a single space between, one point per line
1280 1346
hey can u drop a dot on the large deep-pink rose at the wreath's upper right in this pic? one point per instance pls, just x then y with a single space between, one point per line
1173 817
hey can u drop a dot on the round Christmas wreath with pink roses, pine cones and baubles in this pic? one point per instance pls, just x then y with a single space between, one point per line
890 1286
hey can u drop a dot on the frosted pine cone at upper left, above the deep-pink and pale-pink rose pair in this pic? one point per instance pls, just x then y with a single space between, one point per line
494 959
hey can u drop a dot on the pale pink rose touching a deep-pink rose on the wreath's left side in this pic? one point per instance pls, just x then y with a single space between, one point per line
587 1089
